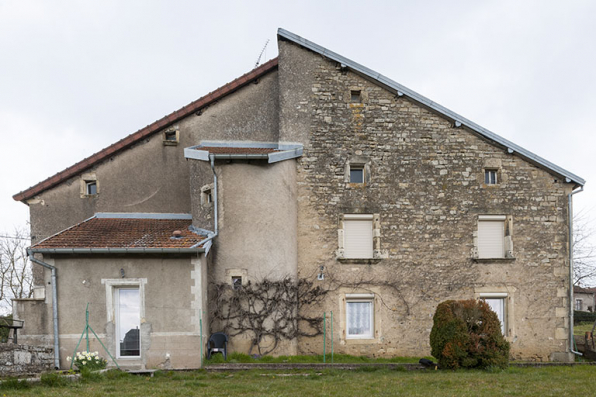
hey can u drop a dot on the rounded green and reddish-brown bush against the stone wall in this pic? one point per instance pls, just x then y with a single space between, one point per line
467 334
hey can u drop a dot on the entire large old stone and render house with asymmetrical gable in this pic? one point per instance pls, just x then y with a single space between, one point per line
309 167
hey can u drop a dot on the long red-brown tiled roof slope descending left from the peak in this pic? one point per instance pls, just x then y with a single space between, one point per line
147 131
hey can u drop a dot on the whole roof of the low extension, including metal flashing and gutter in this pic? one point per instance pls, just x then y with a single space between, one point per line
128 232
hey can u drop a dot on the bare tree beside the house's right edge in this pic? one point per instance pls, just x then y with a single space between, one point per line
584 250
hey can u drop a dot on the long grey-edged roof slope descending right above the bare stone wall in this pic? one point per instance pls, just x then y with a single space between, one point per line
459 121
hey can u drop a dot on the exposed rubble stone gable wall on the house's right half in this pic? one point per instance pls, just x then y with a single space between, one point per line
426 184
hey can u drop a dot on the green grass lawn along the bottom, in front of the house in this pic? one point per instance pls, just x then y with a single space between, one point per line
552 381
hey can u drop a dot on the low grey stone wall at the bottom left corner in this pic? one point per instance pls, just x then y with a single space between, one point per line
25 359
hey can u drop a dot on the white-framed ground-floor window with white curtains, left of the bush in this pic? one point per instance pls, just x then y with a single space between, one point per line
359 316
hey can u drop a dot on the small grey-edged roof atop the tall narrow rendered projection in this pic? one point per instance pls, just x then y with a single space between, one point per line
230 150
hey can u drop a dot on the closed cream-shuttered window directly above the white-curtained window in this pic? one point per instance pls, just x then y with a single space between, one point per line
358 236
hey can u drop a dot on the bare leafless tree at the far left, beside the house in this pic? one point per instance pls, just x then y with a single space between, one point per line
15 270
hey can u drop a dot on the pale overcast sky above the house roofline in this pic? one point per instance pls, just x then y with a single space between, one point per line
76 76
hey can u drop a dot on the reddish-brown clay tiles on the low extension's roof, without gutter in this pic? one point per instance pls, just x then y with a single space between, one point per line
124 233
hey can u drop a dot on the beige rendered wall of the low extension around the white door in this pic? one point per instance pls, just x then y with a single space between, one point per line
174 302
